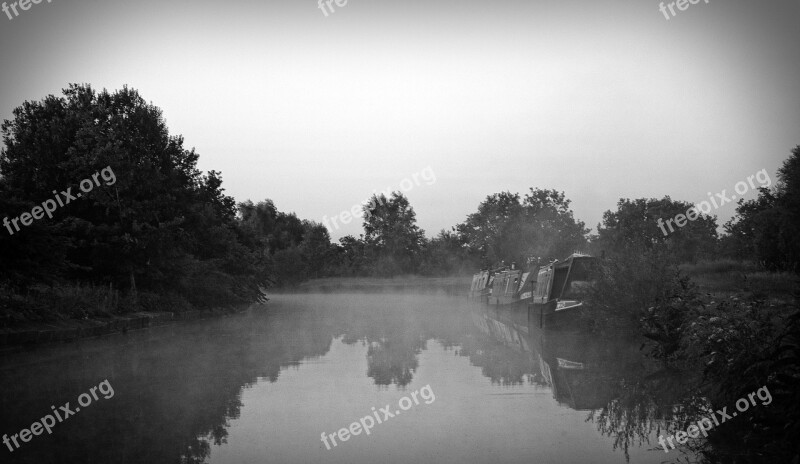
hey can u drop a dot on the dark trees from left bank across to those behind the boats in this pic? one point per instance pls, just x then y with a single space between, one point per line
165 236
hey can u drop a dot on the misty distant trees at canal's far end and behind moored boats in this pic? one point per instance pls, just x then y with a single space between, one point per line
505 227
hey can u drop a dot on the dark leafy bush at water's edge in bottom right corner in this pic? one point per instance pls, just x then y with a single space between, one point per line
742 344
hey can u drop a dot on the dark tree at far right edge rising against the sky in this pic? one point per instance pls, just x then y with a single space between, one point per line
766 229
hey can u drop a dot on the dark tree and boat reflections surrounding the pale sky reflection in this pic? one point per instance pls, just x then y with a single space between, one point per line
179 387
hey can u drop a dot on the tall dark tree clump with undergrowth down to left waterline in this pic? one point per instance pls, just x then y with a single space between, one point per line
163 235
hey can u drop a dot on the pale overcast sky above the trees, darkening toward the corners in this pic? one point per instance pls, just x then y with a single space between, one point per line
600 99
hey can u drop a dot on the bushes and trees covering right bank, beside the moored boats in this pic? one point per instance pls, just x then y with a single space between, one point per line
733 321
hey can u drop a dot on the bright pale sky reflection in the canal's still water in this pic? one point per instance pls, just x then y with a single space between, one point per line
470 421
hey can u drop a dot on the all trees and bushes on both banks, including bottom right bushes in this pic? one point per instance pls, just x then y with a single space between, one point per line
165 237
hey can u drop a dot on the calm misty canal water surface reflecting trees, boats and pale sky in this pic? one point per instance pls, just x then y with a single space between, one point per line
263 386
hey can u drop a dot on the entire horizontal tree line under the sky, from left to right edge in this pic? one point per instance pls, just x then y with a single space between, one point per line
166 234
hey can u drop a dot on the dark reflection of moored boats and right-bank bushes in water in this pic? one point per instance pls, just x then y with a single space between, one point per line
628 395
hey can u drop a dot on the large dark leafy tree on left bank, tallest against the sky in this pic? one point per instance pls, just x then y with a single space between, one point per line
160 224
